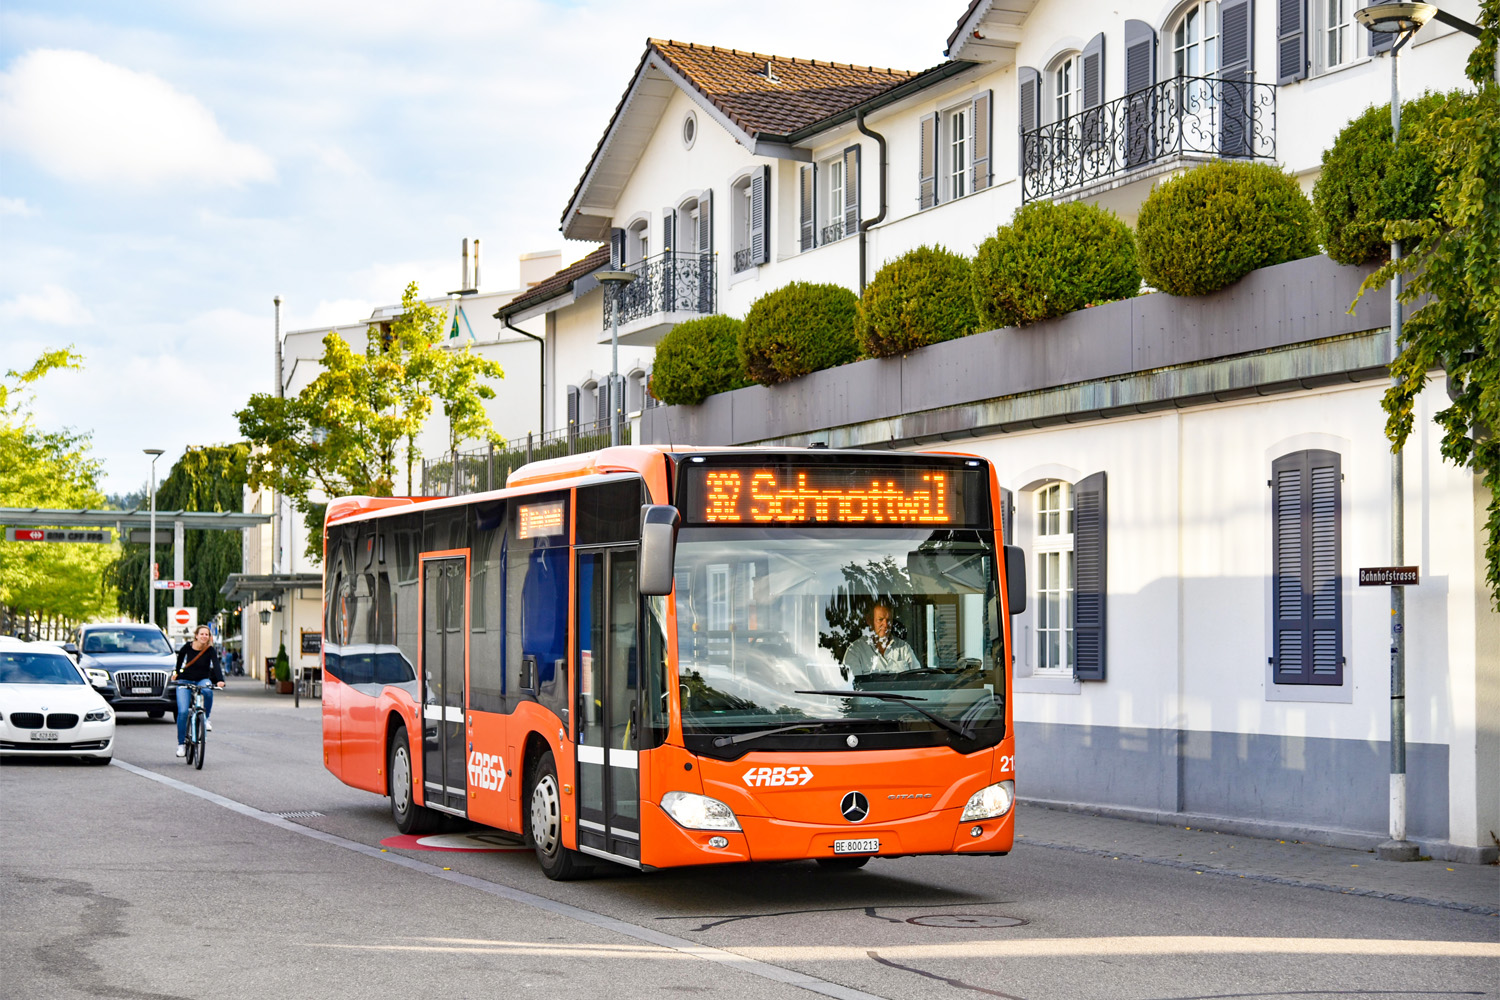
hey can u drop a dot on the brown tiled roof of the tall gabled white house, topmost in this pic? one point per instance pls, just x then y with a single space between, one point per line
793 95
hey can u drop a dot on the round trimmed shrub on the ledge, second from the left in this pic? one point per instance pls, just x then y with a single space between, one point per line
799 329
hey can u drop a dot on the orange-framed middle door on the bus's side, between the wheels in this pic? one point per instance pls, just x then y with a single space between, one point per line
445 627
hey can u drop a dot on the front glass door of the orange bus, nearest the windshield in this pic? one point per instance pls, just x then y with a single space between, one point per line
608 681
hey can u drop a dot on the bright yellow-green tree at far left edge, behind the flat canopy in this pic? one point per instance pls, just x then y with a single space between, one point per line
64 584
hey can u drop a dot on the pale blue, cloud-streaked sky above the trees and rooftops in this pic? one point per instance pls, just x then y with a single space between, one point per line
167 169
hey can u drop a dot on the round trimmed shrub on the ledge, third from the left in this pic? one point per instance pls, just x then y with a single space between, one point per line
919 299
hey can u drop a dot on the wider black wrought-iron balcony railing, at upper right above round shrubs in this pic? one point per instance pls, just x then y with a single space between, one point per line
1202 116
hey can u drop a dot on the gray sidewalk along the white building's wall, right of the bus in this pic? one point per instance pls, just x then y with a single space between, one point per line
1471 888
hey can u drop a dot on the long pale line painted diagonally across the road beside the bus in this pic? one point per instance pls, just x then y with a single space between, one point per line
688 948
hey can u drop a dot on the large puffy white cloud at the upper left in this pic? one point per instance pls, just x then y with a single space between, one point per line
88 121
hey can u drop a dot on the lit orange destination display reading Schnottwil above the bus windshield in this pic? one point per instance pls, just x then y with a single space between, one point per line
835 496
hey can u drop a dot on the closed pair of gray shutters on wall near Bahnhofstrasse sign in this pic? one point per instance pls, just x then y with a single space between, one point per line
1307 558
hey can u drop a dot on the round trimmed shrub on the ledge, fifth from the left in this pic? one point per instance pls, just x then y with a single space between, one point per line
1208 229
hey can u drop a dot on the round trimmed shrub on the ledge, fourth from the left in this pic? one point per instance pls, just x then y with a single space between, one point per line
1052 260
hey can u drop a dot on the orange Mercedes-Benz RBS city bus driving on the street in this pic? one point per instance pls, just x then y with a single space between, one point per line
671 657
